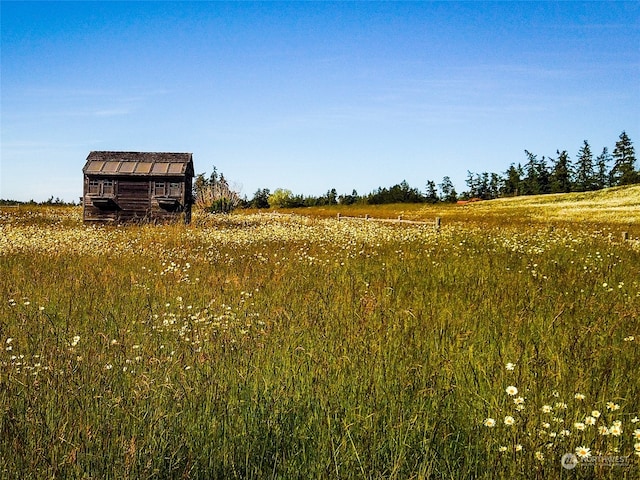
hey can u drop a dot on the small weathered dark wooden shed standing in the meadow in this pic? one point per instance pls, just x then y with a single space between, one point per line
122 187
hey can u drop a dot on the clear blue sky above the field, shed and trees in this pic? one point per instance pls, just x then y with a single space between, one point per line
312 96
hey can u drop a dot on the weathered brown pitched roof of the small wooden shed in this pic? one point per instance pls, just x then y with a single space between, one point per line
157 164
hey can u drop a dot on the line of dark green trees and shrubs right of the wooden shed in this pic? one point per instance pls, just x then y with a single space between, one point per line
536 176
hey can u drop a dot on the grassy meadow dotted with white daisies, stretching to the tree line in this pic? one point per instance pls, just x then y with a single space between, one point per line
262 345
